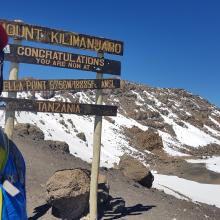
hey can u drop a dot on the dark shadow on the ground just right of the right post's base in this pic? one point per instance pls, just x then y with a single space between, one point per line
116 209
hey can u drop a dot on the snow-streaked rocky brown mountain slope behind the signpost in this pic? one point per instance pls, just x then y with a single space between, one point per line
185 122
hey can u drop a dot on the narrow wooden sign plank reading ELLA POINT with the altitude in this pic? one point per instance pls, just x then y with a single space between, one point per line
59 84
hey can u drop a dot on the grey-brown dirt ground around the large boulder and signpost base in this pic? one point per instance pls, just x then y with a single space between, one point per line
141 203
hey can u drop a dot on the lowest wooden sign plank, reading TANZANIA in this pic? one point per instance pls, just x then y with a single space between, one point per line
13 104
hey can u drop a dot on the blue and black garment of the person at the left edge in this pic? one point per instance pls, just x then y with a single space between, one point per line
12 207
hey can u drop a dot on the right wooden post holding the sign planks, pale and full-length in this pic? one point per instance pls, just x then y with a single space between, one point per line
96 154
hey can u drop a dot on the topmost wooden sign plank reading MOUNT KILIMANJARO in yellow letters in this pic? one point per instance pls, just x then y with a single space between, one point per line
62 38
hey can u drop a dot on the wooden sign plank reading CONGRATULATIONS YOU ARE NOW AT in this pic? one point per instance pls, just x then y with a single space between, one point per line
40 56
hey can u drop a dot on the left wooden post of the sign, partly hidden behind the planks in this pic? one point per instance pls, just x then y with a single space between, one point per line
13 75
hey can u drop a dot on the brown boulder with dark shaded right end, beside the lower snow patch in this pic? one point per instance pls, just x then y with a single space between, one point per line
135 170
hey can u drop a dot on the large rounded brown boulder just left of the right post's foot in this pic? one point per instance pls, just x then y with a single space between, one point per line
69 190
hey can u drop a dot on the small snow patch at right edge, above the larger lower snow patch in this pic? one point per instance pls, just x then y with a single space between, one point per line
212 163
